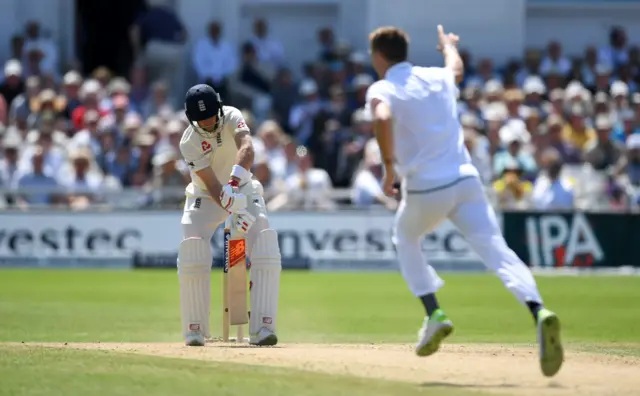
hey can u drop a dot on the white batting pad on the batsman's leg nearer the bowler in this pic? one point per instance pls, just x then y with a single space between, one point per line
265 279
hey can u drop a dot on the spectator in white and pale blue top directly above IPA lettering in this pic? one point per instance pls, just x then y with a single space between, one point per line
551 191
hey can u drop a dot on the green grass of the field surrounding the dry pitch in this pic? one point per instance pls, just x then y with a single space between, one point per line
142 306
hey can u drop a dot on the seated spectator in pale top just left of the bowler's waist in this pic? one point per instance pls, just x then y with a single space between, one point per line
367 188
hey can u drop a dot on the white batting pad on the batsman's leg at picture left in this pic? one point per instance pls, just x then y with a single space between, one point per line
194 273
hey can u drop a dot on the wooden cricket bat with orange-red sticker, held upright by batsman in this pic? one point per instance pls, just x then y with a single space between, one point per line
234 279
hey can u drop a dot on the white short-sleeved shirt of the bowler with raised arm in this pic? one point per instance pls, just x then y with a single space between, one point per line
429 141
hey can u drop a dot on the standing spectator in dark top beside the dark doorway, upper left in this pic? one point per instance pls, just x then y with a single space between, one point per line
158 39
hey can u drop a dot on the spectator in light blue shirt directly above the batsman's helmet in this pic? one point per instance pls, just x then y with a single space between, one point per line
214 59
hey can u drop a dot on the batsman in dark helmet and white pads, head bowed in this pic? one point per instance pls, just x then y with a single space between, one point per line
218 149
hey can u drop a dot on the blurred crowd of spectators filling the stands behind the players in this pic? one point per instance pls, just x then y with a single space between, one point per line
546 132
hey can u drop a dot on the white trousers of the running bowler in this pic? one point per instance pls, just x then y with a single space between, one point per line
463 202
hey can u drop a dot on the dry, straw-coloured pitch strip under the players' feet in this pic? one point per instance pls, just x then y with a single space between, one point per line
499 369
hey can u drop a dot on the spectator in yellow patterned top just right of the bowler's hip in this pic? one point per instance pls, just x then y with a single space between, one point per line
513 192
